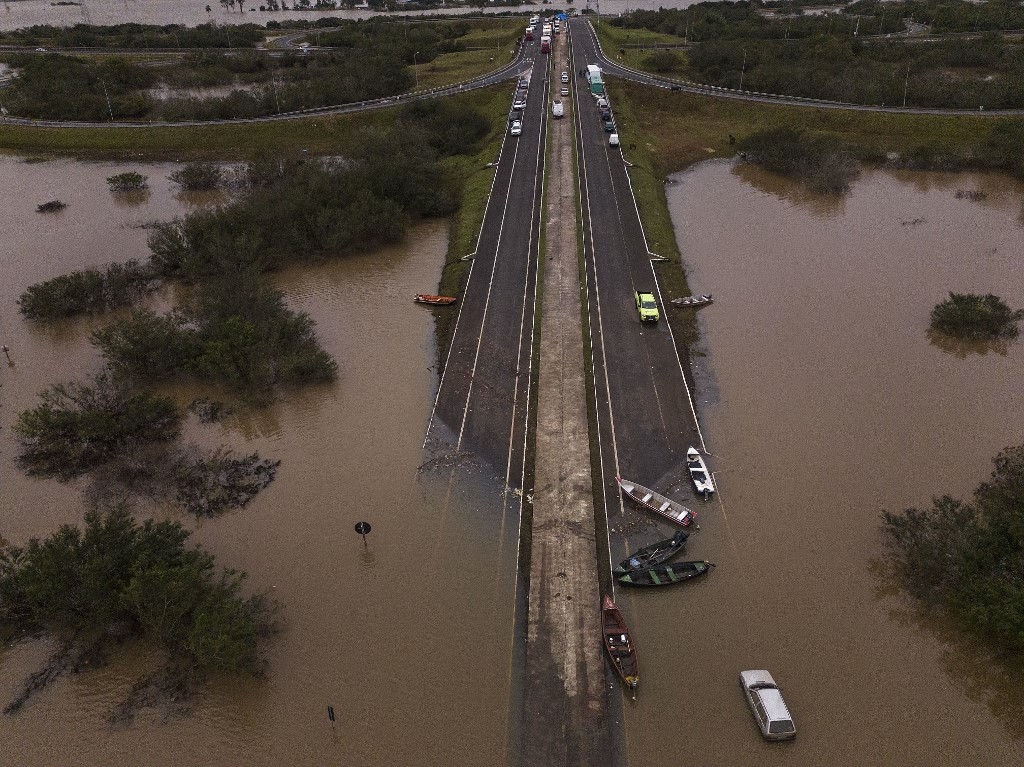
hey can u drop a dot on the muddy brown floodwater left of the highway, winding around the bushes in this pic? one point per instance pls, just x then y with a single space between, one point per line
409 640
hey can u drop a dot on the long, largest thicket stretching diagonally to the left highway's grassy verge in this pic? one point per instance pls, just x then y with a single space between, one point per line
302 211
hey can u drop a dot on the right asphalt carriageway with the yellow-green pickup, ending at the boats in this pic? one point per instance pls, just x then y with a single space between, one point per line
645 415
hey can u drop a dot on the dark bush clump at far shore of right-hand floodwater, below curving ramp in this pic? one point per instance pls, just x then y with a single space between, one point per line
821 162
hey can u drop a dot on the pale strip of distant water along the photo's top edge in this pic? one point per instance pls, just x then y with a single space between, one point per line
19 14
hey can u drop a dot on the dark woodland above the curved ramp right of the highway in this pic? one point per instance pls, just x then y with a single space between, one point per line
819 57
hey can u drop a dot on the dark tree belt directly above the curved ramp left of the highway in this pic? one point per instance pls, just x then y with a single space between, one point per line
372 62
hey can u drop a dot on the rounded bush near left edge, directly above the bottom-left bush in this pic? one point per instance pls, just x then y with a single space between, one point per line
80 427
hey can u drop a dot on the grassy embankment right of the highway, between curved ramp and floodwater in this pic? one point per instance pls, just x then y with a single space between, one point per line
664 133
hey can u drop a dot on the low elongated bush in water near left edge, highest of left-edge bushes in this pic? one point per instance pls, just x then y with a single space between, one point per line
90 291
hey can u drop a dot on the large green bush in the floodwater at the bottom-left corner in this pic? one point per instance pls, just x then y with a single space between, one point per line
93 588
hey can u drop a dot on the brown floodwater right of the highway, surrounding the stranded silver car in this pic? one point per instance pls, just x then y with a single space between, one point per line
826 403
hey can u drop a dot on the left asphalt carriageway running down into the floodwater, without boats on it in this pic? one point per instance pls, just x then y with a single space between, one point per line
484 397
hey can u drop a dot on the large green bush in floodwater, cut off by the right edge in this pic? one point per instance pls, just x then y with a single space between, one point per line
966 560
